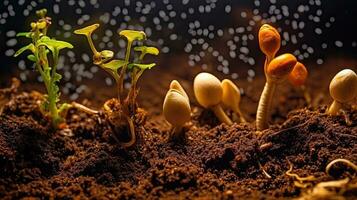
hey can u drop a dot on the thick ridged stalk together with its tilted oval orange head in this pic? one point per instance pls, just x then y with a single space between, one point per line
277 71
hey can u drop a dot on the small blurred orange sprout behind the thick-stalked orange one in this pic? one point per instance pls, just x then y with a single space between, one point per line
297 78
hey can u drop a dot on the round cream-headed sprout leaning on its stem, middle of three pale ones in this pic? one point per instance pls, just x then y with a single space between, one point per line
208 91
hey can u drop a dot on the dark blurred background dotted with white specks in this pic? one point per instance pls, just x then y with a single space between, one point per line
211 35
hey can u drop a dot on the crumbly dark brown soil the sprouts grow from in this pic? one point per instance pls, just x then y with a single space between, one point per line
214 161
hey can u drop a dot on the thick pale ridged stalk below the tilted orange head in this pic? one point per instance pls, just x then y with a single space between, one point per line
264 106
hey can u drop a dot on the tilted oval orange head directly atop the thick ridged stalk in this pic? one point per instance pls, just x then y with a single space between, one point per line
281 66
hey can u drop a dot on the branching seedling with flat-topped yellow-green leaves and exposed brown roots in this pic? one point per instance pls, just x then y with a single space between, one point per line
123 108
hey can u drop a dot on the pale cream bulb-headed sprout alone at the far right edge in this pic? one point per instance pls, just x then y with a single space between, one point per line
343 88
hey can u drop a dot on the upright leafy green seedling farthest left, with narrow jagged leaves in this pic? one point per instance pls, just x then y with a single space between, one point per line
45 53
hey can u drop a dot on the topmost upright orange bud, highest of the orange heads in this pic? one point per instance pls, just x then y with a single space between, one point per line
269 40
